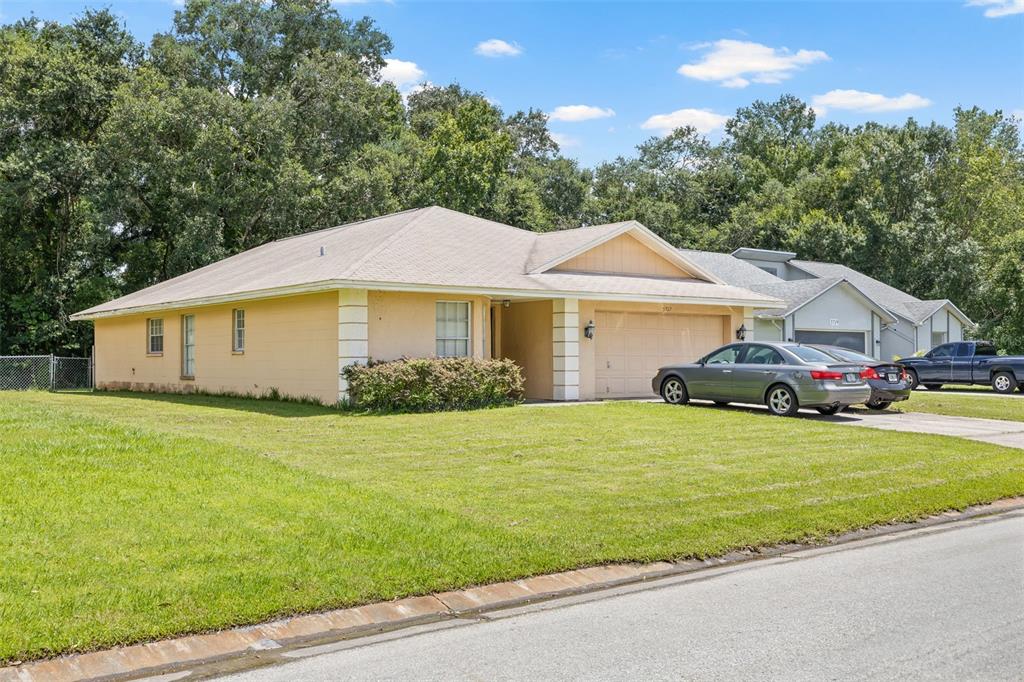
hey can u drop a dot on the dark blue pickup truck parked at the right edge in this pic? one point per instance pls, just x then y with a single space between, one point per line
966 363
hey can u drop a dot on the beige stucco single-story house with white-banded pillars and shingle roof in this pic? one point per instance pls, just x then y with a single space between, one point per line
588 314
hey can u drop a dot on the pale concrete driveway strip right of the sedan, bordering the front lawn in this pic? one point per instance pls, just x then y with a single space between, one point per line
987 431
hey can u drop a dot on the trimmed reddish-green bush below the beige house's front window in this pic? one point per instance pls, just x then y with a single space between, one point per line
435 385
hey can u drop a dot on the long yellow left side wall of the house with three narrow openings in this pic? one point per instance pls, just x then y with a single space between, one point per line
291 346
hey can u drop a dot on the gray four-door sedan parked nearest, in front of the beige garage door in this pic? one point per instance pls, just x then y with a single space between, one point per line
783 376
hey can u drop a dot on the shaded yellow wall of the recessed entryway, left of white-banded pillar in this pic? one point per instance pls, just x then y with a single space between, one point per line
528 339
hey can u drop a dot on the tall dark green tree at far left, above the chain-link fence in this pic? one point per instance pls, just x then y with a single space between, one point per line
57 89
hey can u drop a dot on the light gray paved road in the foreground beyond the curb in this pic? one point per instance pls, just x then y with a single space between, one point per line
945 604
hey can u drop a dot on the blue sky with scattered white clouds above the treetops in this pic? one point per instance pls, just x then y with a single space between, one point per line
628 71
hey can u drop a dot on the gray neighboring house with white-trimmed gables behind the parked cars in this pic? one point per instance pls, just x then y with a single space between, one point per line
835 305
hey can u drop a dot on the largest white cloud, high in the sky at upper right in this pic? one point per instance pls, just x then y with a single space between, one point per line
736 64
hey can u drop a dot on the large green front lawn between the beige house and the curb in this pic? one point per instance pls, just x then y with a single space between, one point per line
132 518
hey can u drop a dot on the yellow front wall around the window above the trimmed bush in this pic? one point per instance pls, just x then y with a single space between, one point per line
403 324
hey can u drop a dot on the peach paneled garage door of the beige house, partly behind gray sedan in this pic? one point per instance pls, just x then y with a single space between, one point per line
631 347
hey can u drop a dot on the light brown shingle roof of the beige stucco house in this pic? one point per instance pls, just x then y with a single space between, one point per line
431 247
